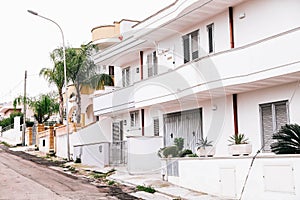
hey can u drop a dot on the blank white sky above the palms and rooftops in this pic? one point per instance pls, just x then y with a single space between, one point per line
27 40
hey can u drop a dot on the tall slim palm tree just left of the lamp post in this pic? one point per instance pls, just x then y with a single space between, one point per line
55 76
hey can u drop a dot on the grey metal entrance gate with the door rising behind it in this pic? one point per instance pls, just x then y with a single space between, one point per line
118 147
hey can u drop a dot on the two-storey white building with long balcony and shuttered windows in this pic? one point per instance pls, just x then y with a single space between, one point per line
209 68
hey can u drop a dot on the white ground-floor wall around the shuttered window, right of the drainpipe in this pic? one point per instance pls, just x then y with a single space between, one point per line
248 108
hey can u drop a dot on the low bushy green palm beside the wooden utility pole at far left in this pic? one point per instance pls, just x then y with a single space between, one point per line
43 107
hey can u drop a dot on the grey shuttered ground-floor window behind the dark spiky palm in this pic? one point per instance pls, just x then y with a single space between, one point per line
273 116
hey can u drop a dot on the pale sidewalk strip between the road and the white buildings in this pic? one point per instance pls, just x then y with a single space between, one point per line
164 189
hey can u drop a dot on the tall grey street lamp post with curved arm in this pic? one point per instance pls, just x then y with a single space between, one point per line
65 77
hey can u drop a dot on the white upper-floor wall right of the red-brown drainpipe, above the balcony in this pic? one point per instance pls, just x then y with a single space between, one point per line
263 19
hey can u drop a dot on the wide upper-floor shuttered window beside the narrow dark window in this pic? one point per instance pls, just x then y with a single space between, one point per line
191 46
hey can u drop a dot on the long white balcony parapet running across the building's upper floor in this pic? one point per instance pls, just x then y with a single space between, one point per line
265 63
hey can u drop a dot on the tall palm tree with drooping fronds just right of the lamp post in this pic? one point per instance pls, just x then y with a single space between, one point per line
81 71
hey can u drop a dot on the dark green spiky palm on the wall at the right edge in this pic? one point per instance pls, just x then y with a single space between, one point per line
287 140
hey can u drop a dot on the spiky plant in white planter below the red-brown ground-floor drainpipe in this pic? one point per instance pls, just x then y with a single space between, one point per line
239 145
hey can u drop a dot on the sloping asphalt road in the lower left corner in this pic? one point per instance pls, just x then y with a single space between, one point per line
23 179
